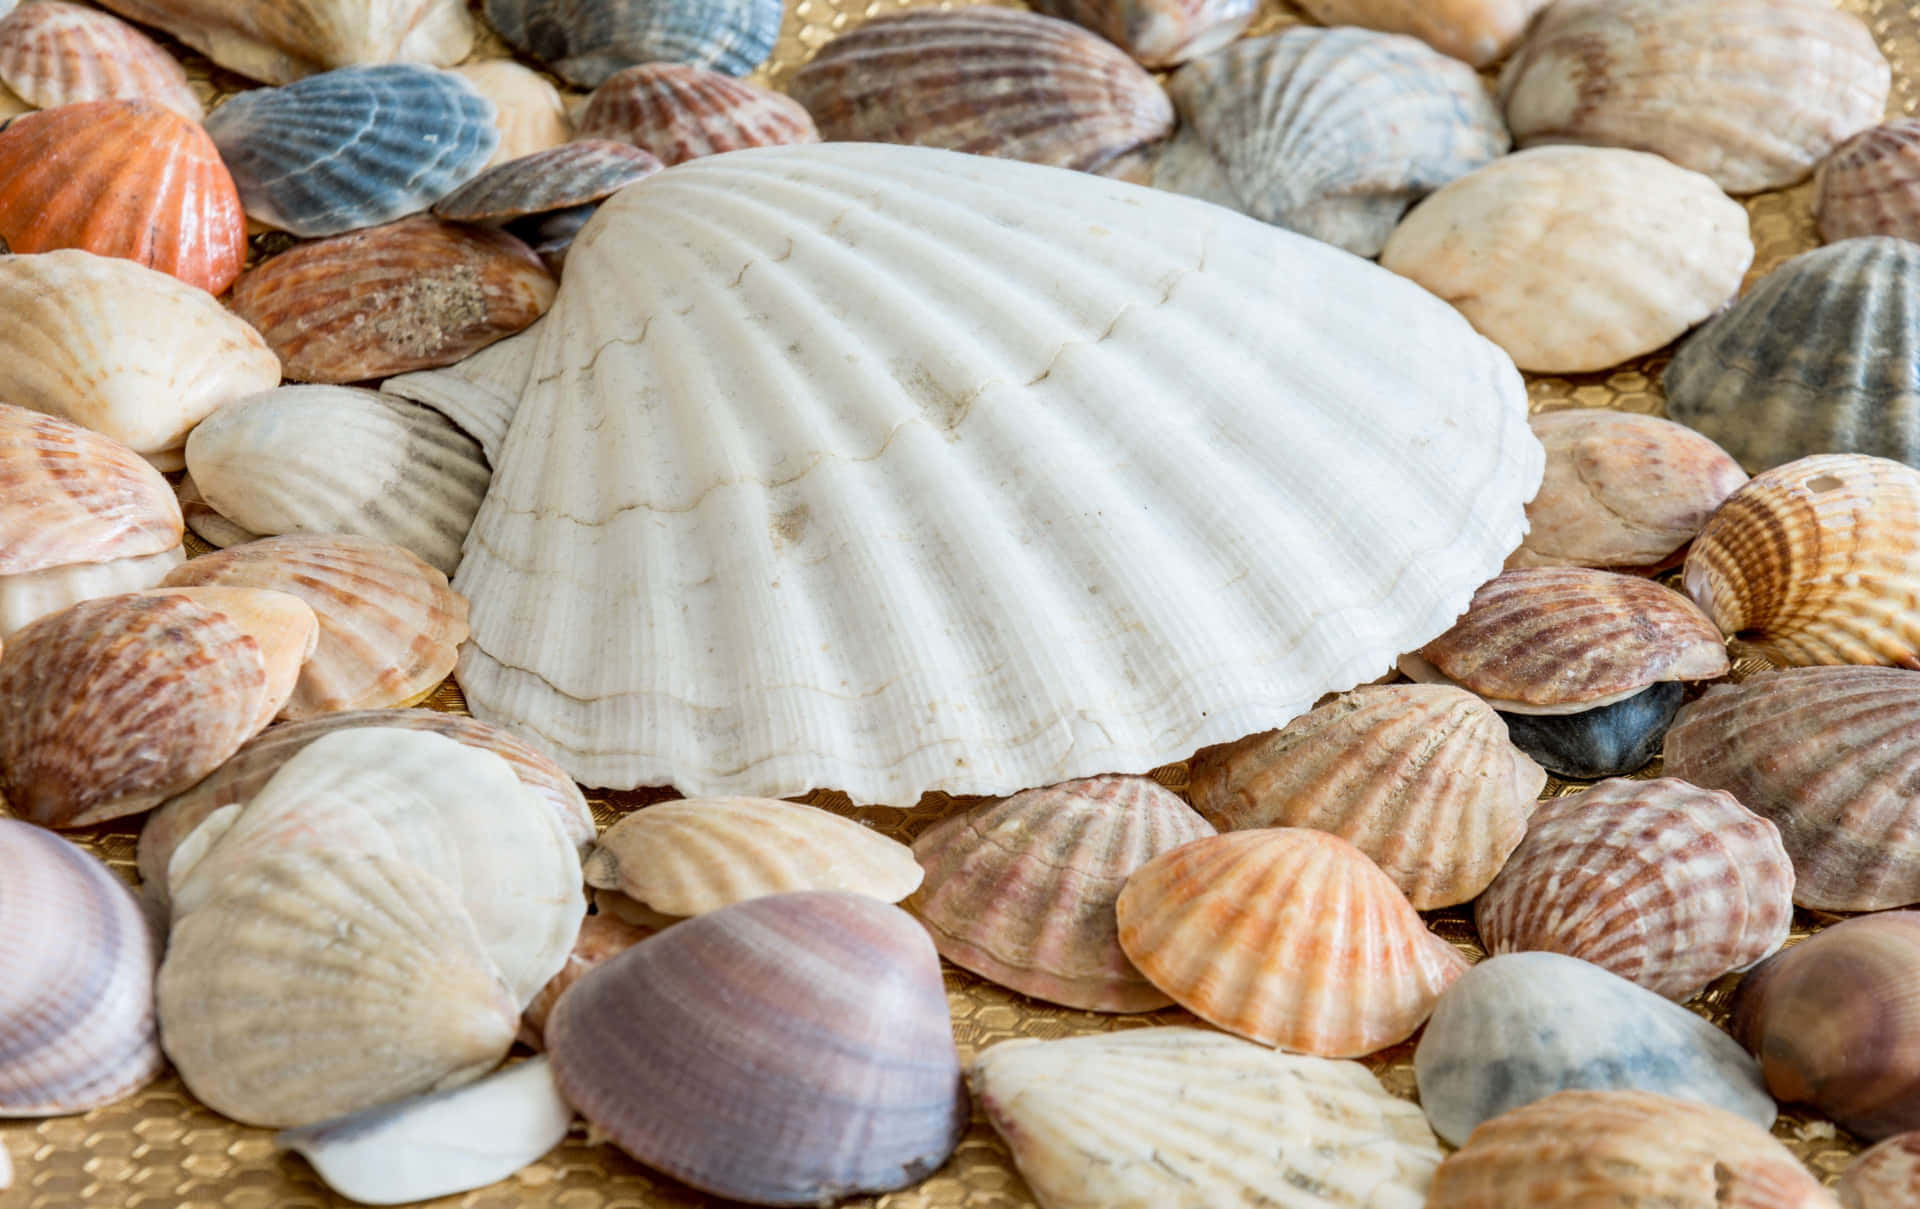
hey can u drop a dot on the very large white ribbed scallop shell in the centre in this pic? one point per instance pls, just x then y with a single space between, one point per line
1040 678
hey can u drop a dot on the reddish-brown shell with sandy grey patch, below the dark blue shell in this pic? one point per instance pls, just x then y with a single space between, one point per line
414 295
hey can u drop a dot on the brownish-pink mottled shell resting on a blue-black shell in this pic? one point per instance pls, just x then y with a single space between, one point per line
1558 640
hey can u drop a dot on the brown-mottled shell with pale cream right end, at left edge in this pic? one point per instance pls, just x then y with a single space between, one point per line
118 703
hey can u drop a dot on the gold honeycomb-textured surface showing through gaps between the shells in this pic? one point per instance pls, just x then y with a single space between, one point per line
162 1150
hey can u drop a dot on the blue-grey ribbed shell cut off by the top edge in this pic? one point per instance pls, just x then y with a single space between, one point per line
587 41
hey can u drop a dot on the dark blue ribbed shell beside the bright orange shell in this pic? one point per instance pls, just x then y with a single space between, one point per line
354 147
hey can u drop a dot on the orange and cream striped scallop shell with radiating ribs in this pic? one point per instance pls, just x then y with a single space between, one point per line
1287 937
